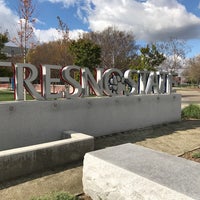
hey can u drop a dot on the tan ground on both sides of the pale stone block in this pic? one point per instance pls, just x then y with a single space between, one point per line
174 139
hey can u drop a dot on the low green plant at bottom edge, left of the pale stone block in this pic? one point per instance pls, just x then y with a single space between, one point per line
56 196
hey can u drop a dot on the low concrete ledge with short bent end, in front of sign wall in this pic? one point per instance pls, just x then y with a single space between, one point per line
26 160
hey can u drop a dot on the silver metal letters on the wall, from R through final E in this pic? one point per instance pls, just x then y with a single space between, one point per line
110 82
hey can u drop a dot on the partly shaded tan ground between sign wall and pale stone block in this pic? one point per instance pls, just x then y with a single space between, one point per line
174 138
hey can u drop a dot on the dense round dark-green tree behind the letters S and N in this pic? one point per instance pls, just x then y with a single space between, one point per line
86 53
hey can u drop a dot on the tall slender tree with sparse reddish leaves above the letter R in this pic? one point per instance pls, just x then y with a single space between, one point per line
26 10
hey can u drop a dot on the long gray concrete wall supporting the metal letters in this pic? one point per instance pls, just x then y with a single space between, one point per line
33 122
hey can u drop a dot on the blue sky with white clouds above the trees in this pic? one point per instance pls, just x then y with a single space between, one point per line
148 20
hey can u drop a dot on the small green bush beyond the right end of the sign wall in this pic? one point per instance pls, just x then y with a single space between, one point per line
191 111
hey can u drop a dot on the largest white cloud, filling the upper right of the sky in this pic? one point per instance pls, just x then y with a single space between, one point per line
149 20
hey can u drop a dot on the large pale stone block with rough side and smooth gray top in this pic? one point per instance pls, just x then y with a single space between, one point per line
133 172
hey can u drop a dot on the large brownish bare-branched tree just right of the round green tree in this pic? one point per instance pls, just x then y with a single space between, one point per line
118 48
